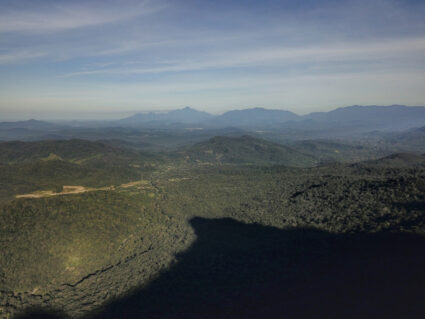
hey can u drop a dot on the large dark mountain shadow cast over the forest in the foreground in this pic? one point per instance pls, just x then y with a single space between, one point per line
237 270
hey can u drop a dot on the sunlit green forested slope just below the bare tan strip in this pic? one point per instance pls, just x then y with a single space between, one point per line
50 241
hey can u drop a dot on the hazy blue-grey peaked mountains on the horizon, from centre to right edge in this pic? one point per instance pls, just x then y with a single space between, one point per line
357 118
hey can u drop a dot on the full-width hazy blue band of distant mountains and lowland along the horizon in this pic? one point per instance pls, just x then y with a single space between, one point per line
180 126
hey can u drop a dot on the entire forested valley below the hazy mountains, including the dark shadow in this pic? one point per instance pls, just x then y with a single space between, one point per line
242 224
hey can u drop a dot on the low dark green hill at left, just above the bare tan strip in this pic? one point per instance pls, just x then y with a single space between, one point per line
26 167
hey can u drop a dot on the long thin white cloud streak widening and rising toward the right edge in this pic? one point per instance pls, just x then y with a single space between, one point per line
339 52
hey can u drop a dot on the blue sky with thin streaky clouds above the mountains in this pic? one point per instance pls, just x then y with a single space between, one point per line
103 59
